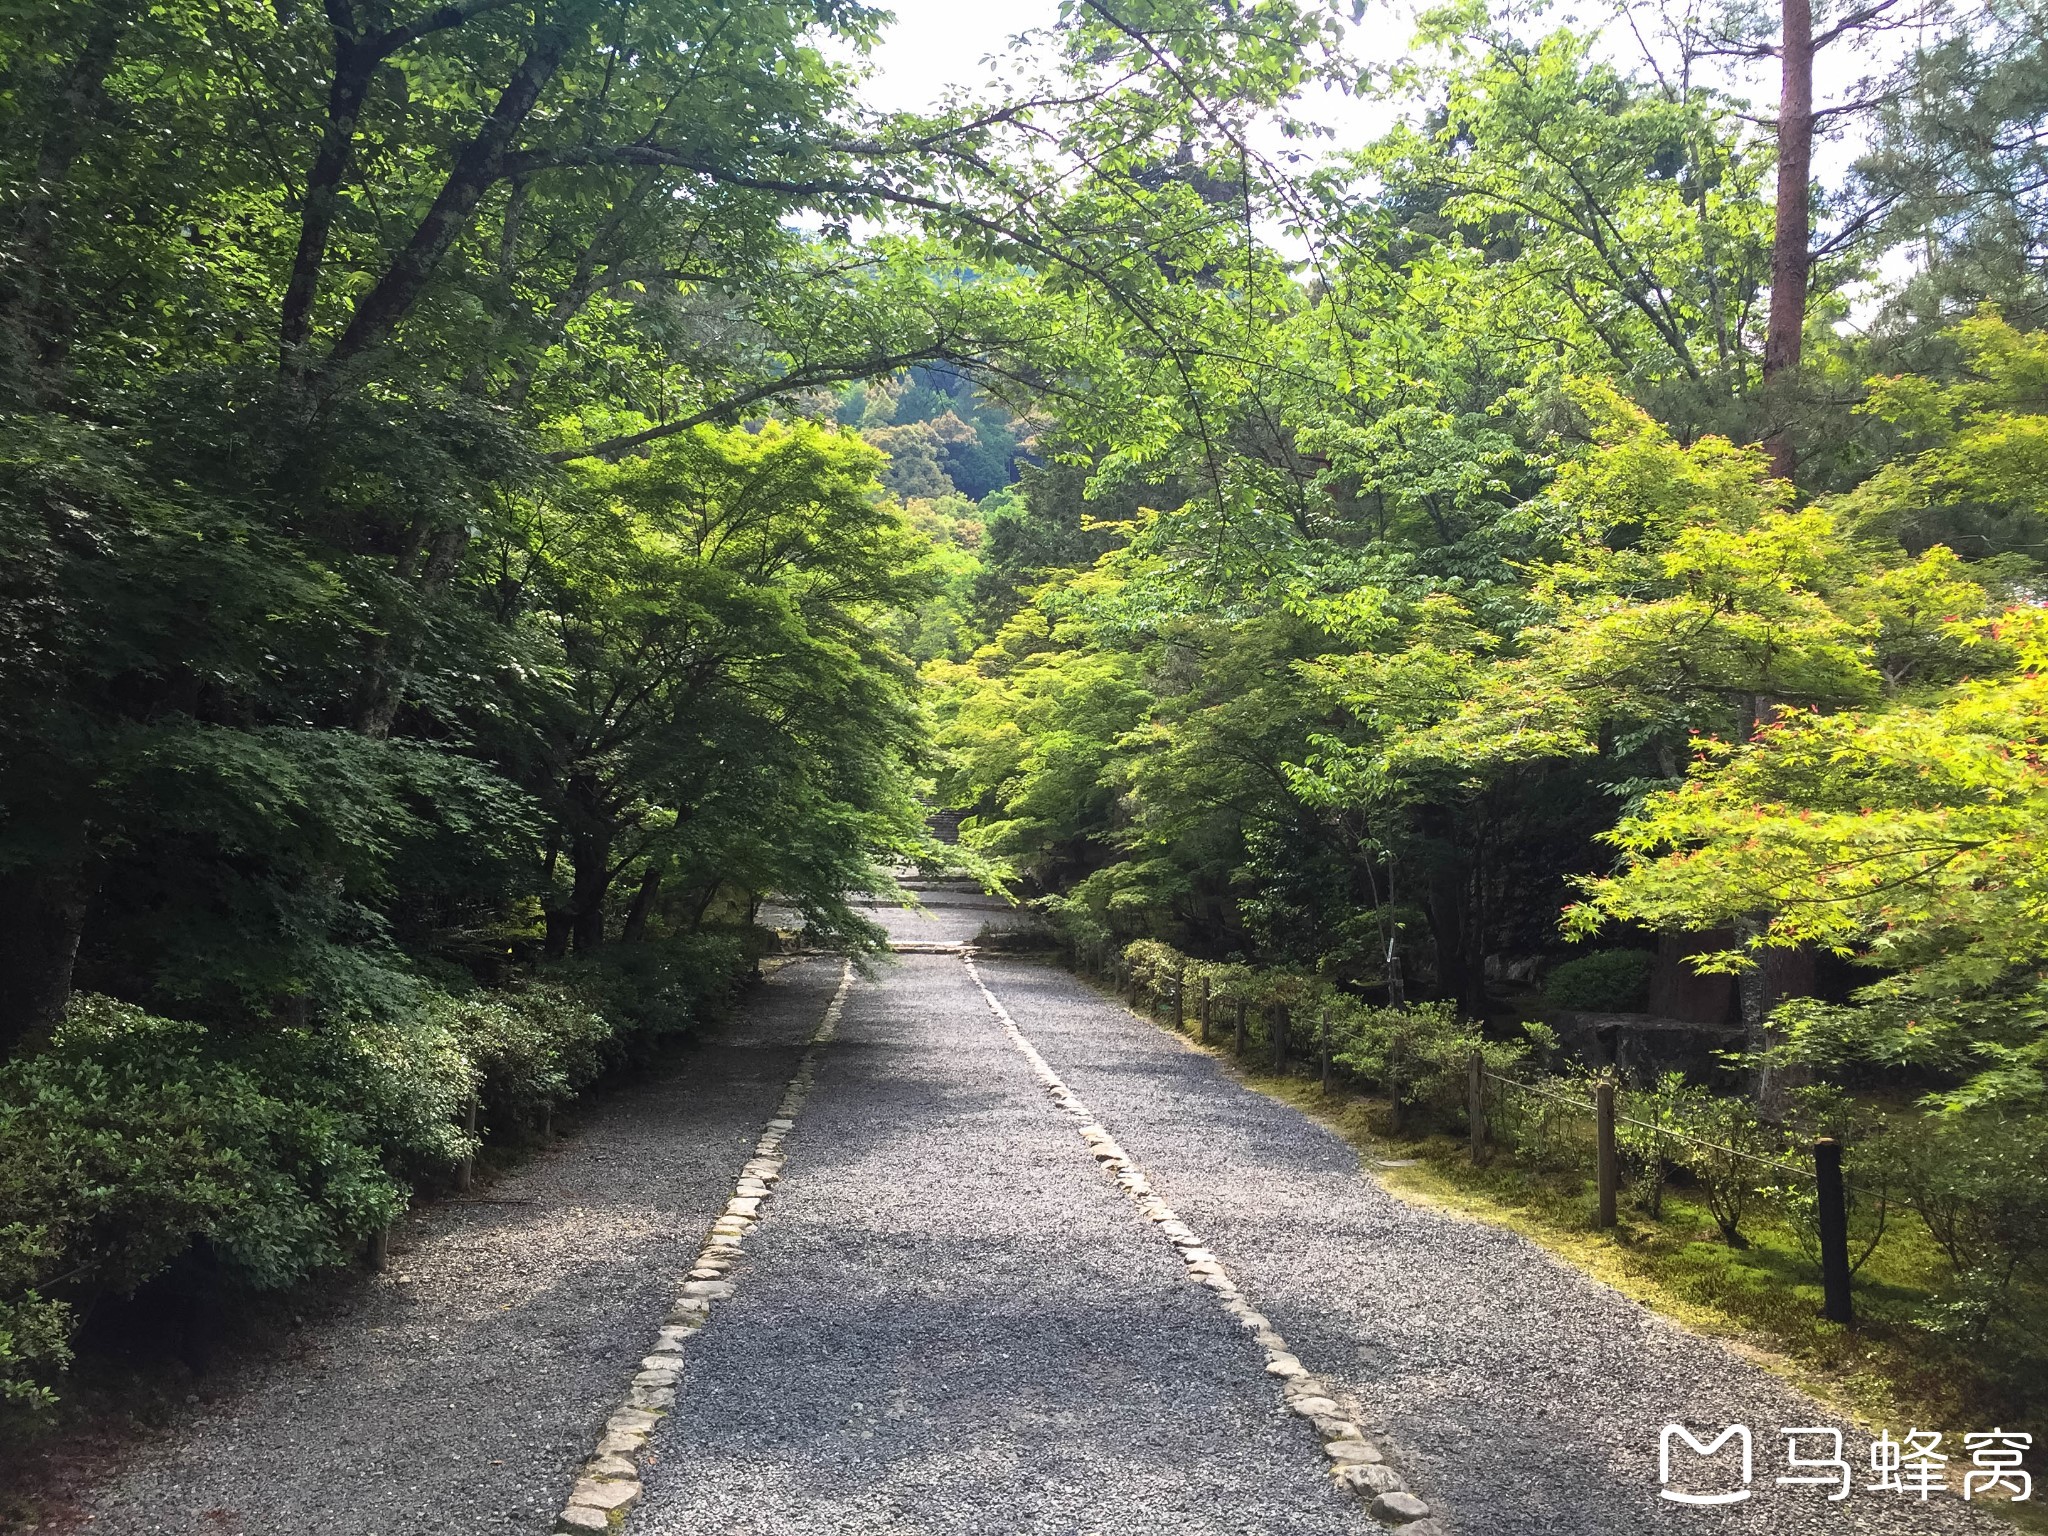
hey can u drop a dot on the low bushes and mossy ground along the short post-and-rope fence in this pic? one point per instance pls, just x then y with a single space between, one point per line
1947 1209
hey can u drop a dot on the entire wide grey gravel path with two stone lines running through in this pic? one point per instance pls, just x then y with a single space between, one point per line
947 1302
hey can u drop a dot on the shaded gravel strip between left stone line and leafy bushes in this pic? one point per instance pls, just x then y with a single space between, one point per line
460 1392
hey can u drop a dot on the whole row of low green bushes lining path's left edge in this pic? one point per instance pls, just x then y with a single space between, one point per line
132 1140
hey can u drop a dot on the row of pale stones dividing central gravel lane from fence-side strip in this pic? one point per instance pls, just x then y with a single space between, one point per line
1355 1461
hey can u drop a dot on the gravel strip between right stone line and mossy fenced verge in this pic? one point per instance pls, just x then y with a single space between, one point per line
1517 1396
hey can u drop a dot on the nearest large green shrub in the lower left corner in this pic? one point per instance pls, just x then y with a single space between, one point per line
132 1138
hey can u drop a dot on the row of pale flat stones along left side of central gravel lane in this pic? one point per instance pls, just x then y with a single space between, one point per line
609 1482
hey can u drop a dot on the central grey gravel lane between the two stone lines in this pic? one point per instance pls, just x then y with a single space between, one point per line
953 1322
